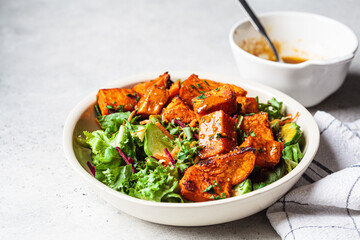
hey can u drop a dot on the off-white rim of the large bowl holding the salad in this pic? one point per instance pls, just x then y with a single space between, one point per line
78 110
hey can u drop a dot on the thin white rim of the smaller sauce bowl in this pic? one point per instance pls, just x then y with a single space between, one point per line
344 58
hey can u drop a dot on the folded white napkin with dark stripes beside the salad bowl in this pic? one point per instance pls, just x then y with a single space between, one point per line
325 203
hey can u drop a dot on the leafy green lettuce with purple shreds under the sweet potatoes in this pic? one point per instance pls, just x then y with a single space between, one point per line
138 172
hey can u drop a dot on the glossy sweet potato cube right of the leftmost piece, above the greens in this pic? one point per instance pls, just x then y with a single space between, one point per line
153 101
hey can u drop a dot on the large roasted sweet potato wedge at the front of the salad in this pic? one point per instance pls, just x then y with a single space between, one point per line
214 178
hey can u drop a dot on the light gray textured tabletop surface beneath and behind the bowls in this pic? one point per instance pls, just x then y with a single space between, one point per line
53 53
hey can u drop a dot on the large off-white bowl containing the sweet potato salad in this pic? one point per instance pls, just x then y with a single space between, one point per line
82 118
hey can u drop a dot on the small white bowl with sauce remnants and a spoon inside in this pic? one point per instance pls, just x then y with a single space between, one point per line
328 44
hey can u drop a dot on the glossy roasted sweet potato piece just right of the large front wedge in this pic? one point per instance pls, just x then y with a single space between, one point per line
268 152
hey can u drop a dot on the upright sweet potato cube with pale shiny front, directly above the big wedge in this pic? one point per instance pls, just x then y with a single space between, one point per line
217 134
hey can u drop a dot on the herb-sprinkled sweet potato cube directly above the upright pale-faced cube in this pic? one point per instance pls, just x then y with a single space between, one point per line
222 98
